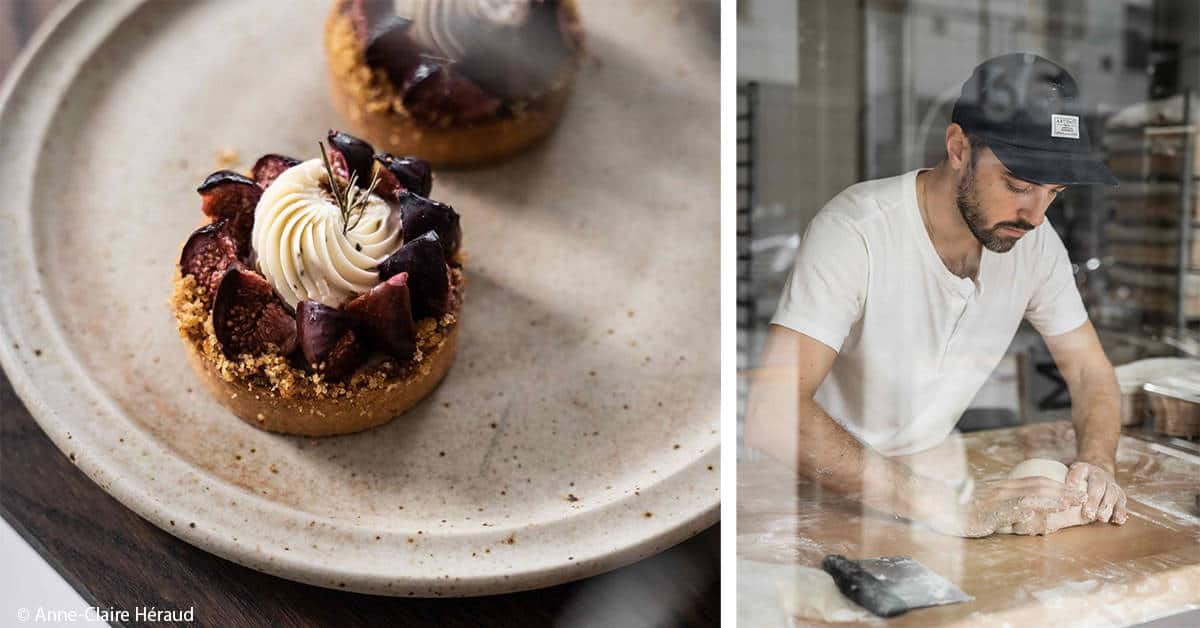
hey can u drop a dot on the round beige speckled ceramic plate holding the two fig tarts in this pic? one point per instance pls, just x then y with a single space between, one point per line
579 428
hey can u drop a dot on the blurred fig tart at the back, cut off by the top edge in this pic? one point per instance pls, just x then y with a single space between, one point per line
459 82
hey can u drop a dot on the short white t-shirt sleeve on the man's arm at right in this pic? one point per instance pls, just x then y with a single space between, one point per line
1055 306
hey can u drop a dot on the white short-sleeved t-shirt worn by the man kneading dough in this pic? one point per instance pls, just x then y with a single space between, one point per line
915 342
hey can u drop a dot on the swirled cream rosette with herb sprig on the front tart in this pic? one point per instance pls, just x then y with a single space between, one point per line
299 242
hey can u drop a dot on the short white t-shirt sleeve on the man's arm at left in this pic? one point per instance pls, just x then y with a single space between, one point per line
825 294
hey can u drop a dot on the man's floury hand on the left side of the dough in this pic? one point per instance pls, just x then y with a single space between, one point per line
995 505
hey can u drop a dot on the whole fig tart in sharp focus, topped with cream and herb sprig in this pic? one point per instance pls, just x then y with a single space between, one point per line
322 297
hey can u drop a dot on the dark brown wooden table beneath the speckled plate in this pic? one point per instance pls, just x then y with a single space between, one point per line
117 560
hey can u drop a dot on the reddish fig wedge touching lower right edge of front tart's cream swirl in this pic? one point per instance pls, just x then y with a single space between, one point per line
385 315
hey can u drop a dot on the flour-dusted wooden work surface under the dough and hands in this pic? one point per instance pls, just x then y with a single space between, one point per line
1089 576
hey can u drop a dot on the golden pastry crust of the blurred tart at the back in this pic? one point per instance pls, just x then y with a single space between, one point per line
370 103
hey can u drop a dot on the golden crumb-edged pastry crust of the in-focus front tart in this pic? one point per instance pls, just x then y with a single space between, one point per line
271 393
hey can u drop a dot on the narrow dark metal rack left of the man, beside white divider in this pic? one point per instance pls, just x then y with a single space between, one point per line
748 104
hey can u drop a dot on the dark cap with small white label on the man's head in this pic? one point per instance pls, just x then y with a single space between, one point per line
1030 112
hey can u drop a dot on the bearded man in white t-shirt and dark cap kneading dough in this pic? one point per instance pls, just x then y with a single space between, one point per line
907 294
